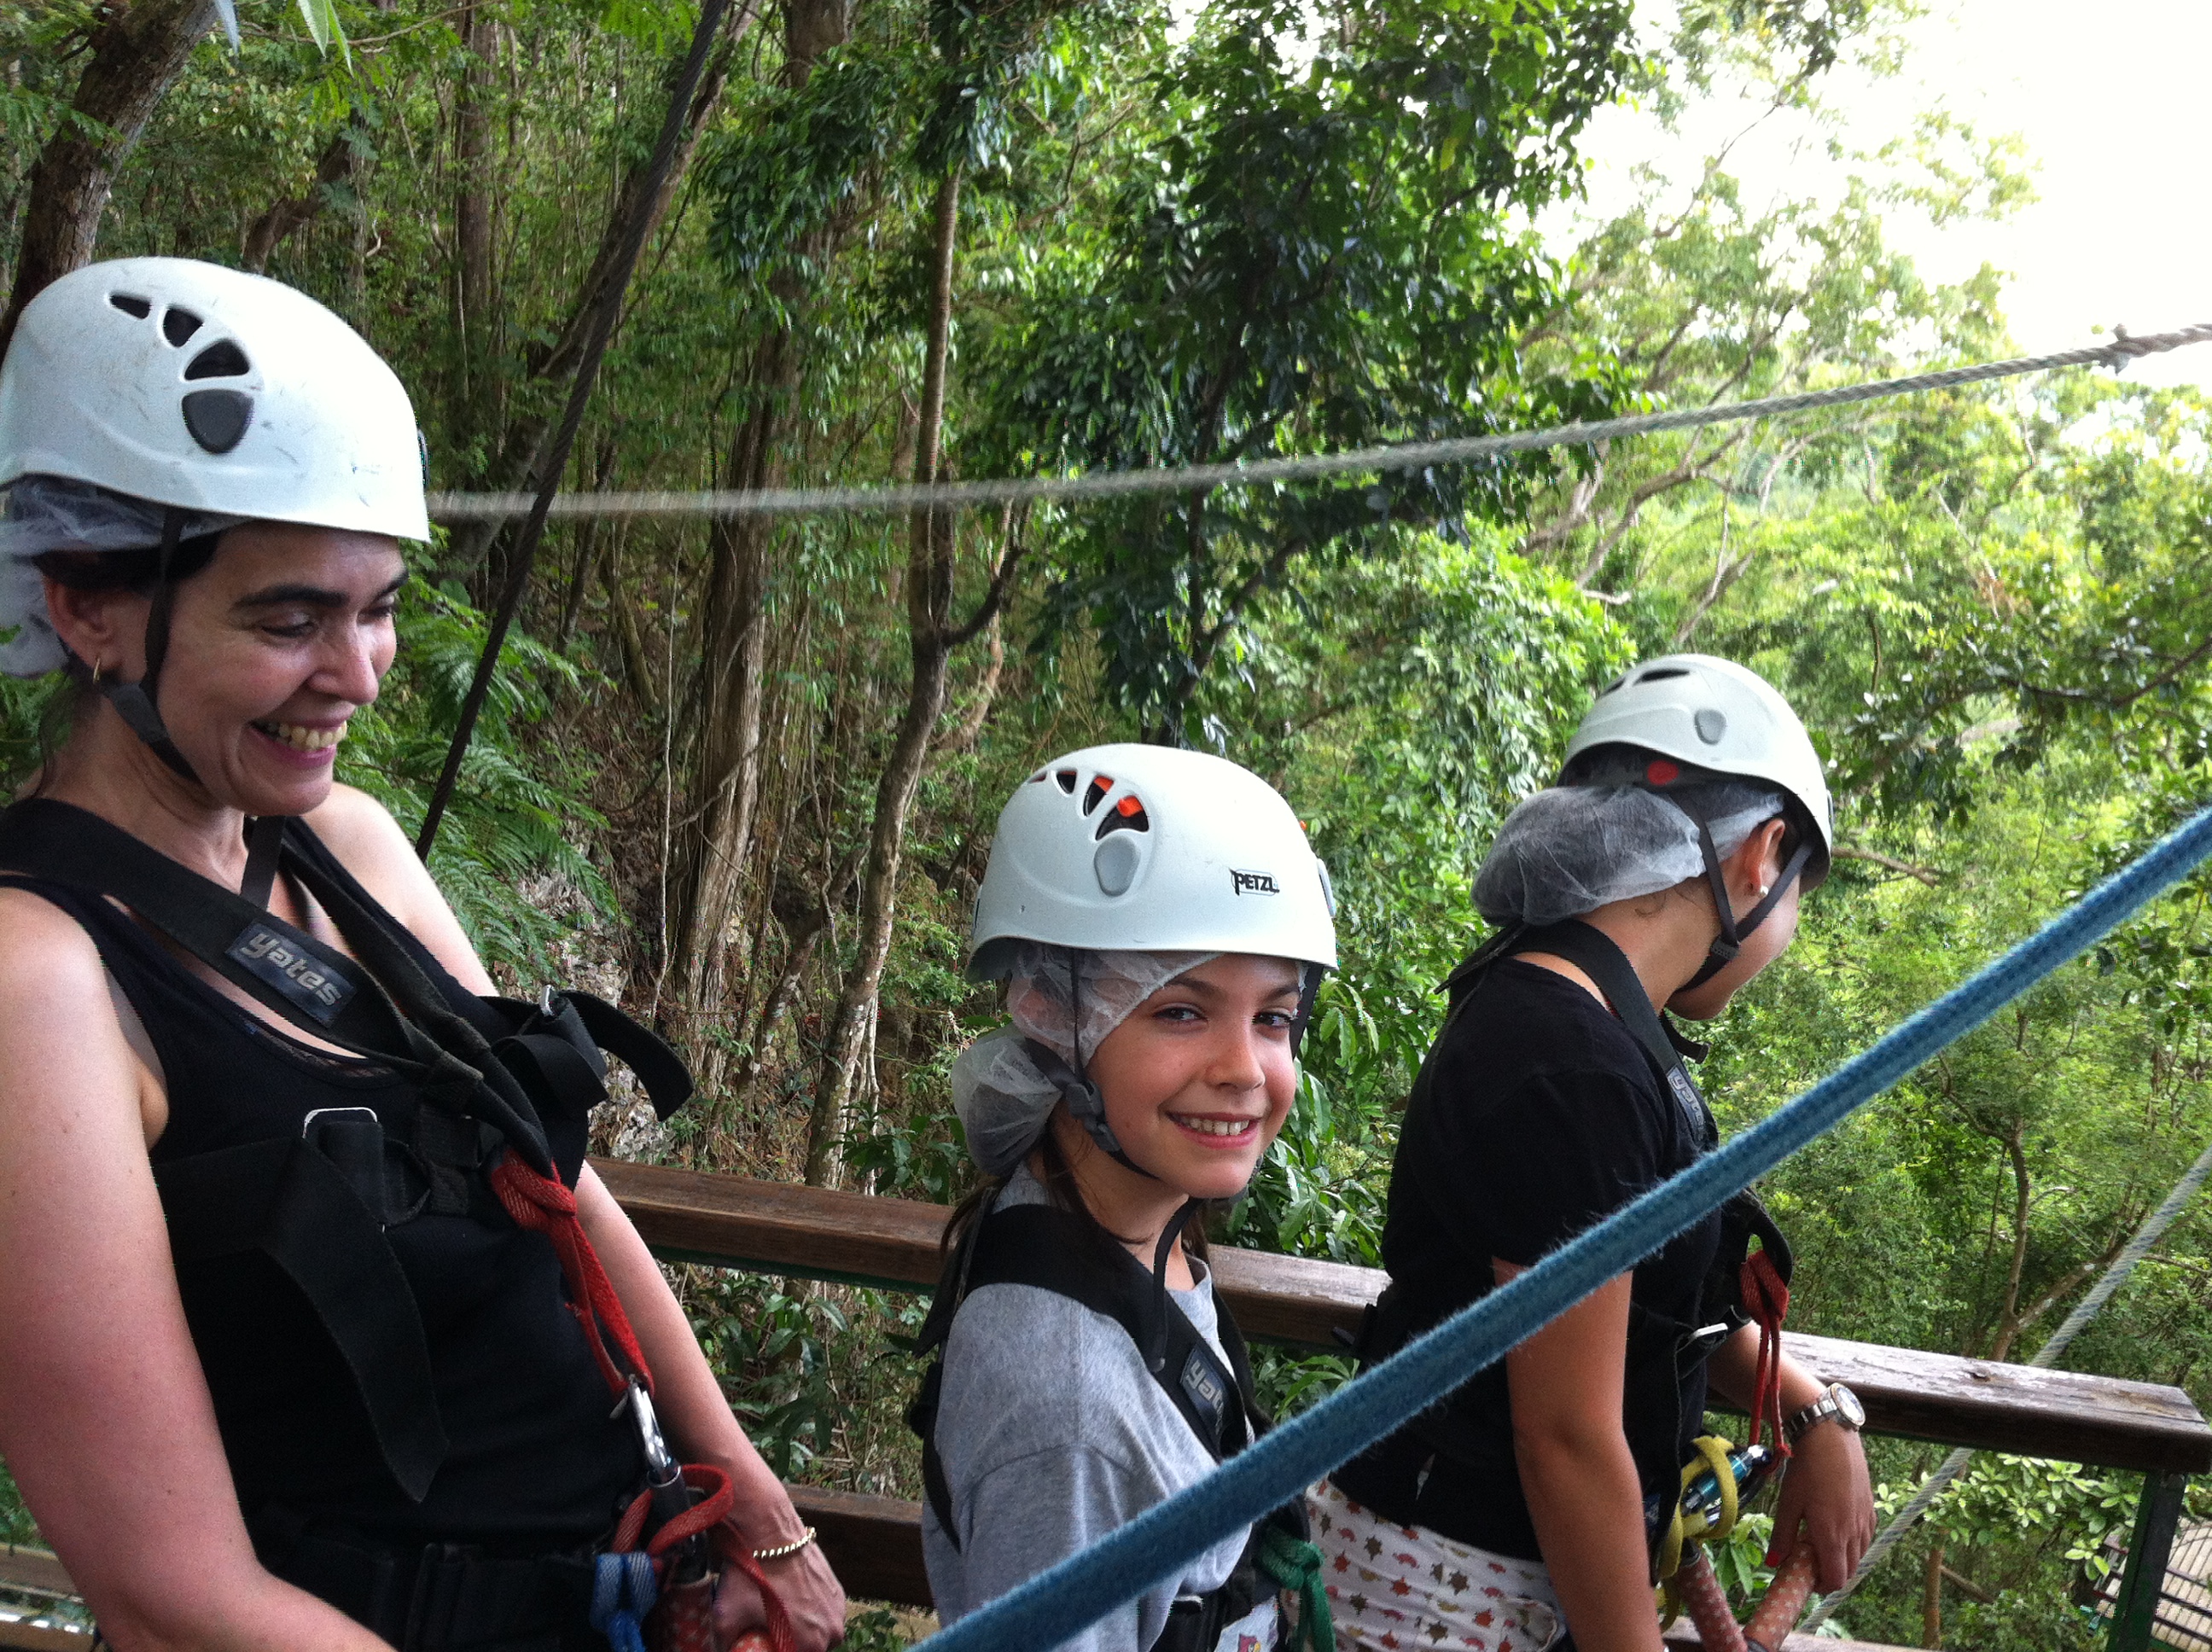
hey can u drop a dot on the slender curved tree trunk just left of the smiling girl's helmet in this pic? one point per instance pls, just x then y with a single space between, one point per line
930 592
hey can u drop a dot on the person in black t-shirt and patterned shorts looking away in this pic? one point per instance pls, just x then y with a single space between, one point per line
1660 872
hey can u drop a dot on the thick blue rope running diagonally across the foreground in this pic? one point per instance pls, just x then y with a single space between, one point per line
1083 1589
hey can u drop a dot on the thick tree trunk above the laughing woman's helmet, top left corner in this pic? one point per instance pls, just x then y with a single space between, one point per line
134 59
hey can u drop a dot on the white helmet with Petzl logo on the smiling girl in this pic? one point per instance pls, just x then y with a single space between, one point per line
1142 848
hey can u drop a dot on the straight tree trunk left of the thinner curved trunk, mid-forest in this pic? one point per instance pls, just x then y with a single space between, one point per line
733 636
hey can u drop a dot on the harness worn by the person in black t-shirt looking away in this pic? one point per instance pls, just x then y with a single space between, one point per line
1744 1286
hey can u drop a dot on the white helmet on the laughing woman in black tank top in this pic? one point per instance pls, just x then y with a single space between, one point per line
211 390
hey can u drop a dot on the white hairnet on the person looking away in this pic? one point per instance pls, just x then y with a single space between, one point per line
1574 848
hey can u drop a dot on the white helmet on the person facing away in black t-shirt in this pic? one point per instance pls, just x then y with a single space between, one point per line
1713 715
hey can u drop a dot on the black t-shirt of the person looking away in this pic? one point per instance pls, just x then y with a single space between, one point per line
1541 1116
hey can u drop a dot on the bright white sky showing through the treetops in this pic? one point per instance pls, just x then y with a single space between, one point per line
2118 121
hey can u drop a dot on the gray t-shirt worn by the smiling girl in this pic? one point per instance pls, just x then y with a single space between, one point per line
1054 1434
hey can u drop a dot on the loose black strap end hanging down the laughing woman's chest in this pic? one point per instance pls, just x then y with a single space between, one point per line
293 1202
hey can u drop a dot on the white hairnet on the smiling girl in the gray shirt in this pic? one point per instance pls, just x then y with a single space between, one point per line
1001 1096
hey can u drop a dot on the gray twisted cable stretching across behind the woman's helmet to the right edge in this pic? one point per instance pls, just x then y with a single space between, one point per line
1404 457
